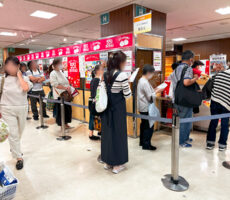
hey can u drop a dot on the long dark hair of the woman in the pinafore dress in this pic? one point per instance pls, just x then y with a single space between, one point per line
114 63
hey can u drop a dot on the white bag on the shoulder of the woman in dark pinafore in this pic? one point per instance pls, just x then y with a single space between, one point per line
101 98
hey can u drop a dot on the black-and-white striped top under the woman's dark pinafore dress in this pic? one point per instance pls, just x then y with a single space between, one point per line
121 84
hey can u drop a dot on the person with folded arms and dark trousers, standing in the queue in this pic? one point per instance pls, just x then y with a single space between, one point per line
37 78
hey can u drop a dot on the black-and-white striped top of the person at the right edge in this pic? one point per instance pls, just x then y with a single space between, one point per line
221 89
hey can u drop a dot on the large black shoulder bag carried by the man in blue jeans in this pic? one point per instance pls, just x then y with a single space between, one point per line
187 96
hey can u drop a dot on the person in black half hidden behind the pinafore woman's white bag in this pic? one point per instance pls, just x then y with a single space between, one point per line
96 77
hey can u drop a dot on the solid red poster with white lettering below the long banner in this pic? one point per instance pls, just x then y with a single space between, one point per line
73 71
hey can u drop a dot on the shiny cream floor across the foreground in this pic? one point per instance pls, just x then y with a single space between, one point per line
68 170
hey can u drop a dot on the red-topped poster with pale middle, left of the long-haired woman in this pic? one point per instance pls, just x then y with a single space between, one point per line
90 62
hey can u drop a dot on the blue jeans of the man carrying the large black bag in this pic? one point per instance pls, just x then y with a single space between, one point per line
185 128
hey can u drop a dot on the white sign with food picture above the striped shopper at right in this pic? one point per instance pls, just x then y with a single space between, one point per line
217 62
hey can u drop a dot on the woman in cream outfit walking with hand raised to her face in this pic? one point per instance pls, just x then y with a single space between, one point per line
14 105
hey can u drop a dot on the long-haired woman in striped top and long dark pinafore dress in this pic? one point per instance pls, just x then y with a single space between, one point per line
114 145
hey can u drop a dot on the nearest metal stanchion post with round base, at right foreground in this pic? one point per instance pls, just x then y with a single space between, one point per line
173 181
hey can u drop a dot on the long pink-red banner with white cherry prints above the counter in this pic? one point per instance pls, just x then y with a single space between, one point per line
115 42
